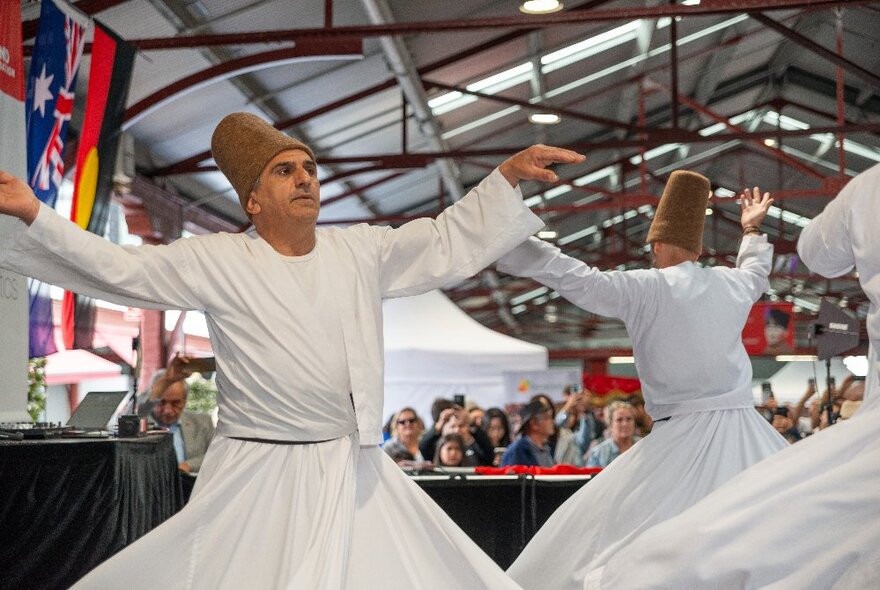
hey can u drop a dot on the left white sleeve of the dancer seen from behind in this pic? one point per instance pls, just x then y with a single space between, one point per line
608 293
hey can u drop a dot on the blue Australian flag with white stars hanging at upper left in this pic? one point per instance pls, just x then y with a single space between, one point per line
51 83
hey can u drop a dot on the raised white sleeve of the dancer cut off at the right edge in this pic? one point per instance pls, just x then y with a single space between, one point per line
824 245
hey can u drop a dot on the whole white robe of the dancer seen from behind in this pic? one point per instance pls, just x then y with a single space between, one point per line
686 326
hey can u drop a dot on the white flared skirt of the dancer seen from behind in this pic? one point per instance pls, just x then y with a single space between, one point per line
679 463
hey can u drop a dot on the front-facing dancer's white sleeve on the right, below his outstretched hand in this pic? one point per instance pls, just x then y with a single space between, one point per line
427 254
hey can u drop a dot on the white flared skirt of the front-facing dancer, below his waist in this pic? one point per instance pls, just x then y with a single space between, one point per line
329 515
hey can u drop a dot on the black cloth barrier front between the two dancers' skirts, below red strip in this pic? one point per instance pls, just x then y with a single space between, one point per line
500 513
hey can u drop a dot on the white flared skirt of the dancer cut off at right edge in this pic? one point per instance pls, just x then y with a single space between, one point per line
808 517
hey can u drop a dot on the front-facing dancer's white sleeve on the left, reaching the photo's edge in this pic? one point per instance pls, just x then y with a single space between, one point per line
56 251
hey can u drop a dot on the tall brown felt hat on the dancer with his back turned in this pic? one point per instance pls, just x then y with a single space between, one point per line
682 211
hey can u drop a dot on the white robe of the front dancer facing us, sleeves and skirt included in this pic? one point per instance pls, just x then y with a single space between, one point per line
298 342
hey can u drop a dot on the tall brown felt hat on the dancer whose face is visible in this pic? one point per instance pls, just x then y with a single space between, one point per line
243 144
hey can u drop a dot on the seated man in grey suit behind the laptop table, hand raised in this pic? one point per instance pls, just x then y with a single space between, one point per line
164 403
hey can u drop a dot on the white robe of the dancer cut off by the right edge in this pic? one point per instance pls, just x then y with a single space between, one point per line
809 516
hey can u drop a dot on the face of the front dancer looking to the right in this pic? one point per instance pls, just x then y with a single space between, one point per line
288 188
